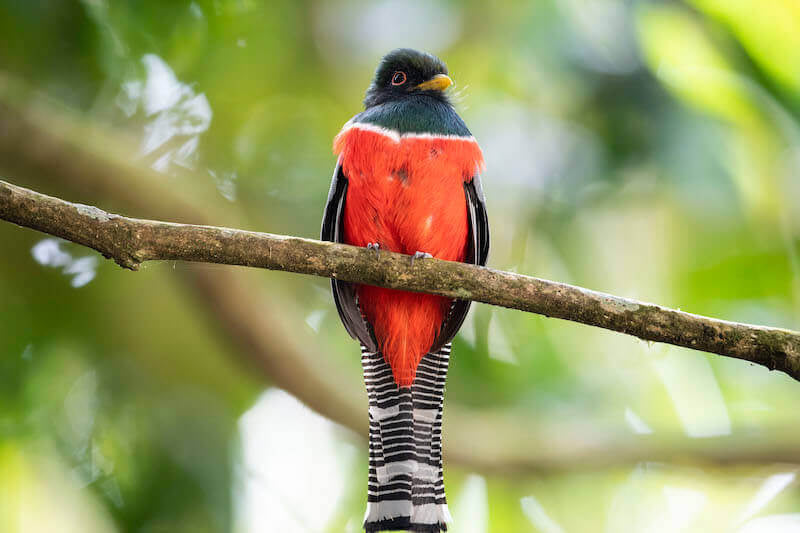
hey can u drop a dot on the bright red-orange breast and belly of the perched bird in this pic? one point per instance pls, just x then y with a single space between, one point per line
407 196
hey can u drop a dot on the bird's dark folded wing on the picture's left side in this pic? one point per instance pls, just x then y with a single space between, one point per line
344 293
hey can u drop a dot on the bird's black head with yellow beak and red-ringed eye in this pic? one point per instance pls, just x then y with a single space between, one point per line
405 72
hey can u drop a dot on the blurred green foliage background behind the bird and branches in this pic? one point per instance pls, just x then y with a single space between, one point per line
647 149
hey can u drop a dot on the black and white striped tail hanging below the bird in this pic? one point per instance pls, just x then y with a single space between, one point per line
406 487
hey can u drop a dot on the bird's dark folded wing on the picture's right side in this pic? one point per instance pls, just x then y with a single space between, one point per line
477 253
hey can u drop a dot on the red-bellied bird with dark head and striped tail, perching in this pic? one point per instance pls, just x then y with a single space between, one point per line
407 180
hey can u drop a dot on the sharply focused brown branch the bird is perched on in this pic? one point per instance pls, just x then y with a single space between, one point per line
132 241
